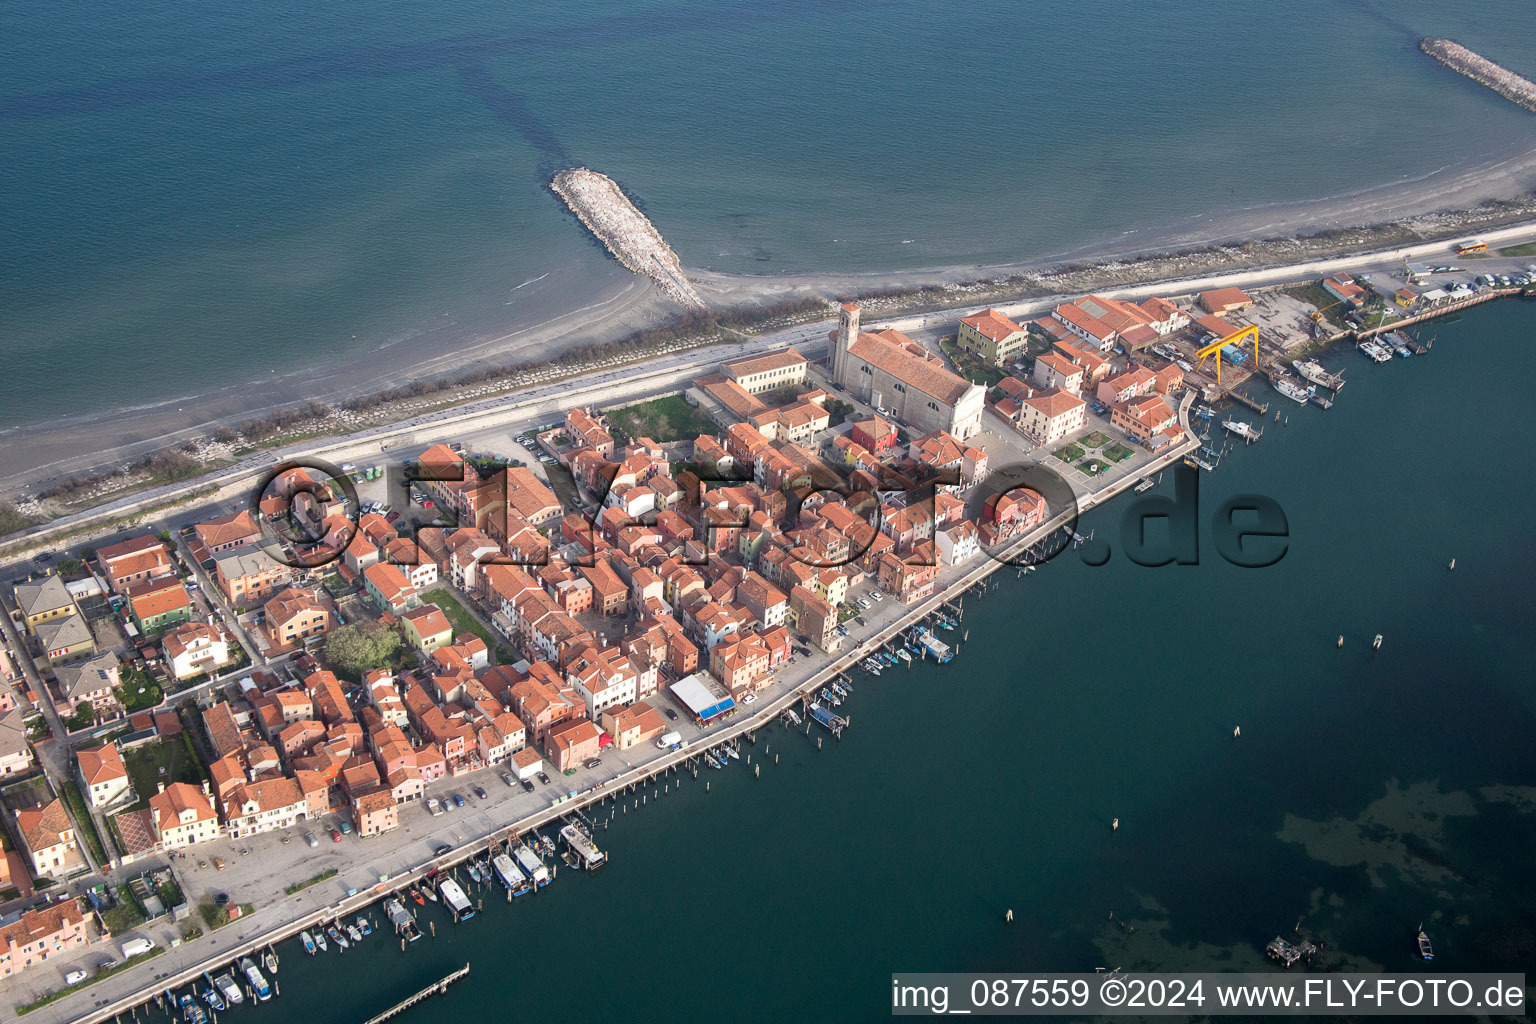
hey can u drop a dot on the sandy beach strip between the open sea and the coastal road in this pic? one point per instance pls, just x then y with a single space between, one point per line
1448 199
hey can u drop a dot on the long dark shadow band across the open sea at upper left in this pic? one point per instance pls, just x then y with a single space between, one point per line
391 61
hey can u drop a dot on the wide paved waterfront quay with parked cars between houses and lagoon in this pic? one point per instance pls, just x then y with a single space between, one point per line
399 865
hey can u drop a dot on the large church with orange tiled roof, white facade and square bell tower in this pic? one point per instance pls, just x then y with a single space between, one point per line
898 375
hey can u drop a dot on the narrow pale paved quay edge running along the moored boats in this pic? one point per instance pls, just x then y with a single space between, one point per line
663 764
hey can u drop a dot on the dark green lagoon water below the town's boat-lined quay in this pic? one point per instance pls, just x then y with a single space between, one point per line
1369 791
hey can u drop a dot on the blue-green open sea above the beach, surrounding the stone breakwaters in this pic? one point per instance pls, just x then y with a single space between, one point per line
197 199
